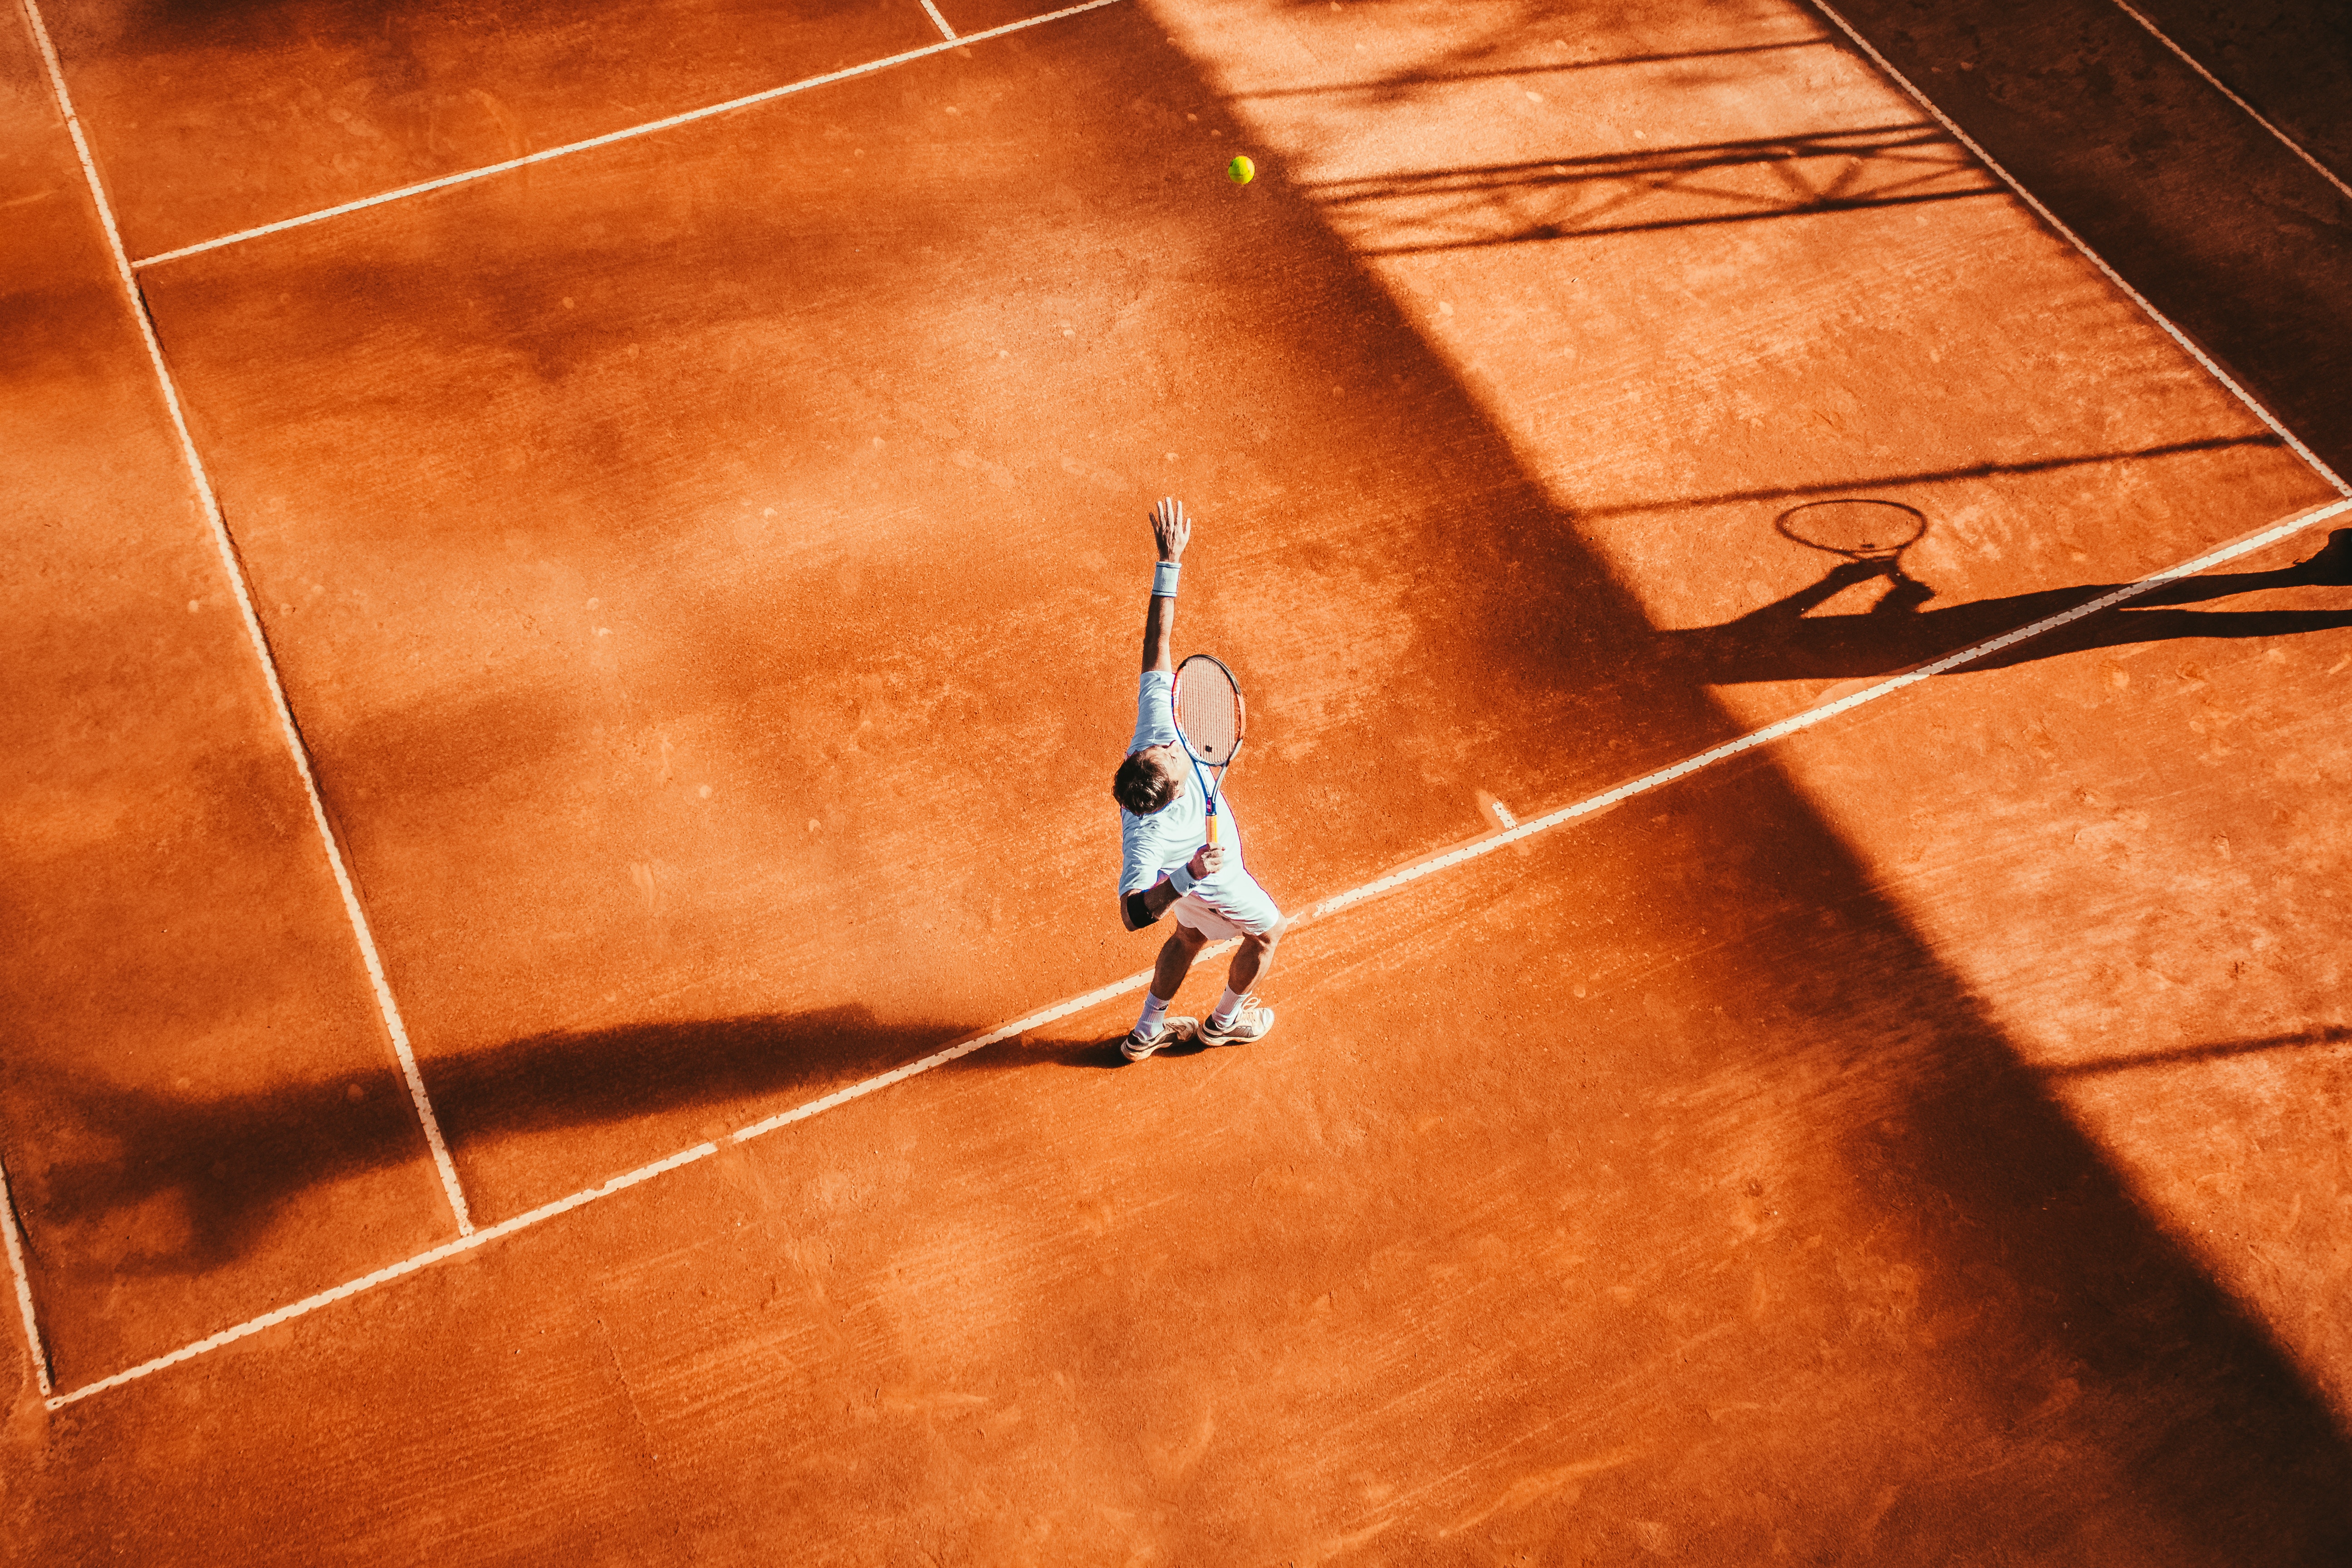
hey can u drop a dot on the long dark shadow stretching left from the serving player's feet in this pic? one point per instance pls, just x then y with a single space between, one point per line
187 1181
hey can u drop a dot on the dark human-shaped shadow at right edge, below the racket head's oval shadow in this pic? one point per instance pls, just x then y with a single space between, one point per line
1904 629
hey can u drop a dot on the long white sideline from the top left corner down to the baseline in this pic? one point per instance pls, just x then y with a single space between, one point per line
253 629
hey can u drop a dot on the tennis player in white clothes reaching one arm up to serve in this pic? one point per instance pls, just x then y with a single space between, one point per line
1168 862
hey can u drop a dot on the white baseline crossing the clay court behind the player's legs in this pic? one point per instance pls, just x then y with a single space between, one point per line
1330 906
